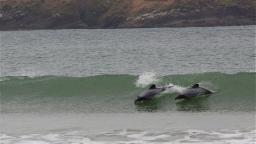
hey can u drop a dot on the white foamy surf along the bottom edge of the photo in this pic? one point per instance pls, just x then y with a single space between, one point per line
128 136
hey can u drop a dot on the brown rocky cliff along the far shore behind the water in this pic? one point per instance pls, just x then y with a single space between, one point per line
60 14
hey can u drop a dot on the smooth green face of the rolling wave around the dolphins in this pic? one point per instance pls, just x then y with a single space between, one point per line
116 93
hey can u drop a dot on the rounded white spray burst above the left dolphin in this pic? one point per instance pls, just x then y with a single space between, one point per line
146 79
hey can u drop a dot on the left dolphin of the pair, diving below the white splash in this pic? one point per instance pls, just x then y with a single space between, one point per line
150 93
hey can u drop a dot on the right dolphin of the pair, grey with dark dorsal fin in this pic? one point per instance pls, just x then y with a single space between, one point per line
193 91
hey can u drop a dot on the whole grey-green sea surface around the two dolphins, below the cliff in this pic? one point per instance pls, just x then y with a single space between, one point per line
79 86
